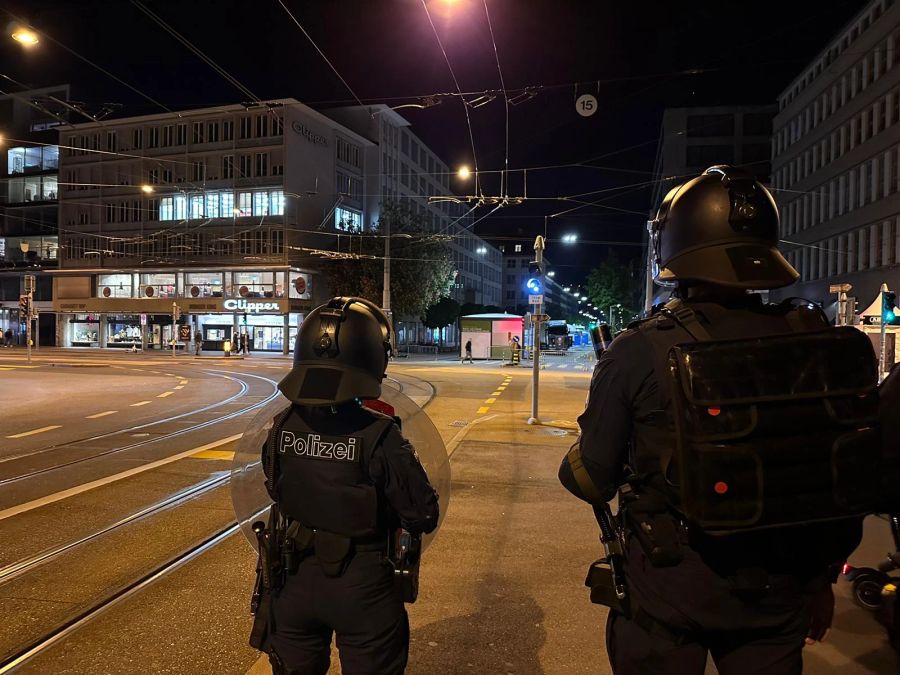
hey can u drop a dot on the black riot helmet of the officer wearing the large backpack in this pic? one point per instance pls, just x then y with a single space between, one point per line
721 228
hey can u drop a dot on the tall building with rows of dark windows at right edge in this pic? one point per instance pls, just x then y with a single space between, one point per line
836 160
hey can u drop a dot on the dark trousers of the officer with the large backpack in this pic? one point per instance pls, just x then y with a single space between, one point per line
689 612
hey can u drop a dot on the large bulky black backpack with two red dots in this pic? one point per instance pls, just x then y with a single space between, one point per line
764 432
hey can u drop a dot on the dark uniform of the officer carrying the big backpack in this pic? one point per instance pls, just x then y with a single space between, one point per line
746 597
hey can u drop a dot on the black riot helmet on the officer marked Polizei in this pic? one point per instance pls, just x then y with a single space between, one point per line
341 353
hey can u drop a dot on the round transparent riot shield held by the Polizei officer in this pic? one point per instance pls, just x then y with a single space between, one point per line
248 490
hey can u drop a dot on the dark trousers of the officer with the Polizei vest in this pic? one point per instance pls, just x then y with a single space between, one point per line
362 608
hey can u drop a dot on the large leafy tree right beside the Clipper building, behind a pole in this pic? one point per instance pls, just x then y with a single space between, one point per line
421 263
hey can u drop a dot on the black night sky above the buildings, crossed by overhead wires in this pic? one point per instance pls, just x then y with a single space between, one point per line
386 50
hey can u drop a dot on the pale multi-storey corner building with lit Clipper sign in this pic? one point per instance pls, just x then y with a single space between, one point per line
217 214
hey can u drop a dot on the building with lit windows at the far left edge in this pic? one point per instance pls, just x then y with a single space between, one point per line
29 190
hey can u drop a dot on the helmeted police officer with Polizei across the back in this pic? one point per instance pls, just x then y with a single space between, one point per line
343 479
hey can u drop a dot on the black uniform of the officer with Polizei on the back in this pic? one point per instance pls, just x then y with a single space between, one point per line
348 473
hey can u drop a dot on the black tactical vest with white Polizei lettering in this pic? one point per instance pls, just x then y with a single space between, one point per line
322 480
